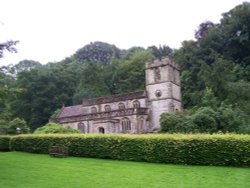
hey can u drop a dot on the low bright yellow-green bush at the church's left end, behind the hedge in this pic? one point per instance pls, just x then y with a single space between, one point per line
55 128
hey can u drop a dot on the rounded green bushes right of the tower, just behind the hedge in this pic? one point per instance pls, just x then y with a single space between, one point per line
210 116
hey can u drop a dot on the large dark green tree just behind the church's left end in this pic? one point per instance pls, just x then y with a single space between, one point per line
44 90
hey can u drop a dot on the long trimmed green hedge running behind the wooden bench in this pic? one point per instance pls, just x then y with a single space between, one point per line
223 150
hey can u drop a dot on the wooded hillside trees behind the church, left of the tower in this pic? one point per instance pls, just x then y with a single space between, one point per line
44 89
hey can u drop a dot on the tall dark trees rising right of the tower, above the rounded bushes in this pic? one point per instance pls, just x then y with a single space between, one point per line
219 59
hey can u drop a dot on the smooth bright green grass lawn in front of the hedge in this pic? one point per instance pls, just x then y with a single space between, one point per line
27 170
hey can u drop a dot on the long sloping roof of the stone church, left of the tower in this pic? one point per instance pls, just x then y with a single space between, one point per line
79 110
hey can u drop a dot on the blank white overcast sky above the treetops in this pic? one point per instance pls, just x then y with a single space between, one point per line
50 30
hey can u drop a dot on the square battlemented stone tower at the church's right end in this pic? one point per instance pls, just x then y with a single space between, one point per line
163 89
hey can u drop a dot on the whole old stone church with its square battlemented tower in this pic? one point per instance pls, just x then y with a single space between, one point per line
136 112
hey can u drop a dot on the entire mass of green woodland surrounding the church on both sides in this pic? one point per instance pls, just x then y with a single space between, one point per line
218 59
